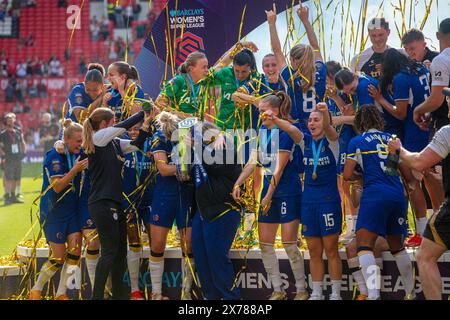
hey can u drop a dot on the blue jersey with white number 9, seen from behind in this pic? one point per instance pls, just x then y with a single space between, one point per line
369 151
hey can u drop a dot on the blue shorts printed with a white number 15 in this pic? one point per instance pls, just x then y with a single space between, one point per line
321 219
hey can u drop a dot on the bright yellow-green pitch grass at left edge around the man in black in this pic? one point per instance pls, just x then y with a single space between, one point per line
15 219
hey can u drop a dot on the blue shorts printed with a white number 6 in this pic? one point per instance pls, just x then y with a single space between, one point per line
282 210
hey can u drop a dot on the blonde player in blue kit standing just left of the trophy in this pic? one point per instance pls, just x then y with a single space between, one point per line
173 199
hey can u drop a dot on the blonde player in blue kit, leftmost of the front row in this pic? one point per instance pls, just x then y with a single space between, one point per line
58 209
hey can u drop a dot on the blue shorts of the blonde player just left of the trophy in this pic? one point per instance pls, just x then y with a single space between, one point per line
167 209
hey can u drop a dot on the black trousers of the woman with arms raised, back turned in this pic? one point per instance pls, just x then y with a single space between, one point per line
111 225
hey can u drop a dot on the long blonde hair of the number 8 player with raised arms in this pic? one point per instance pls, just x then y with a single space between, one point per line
306 68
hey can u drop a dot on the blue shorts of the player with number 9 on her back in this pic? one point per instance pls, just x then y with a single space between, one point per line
383 217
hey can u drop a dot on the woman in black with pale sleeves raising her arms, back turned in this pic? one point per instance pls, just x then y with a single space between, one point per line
105 152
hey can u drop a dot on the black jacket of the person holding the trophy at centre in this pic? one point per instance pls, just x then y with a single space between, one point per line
214 196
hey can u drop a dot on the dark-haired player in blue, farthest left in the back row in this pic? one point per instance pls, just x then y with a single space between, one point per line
87 94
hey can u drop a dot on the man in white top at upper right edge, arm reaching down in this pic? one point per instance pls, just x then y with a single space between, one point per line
440 78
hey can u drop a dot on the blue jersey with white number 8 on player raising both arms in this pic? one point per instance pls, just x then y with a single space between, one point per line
303 103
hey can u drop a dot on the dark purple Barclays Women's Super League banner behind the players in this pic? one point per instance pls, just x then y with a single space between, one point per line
210 26
